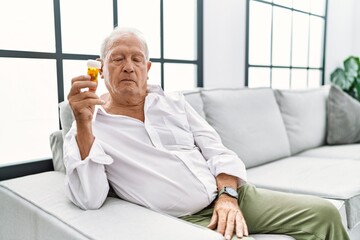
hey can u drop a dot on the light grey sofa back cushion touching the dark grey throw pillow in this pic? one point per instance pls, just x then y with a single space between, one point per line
304 114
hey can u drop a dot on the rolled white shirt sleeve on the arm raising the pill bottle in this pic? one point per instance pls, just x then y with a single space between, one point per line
86 183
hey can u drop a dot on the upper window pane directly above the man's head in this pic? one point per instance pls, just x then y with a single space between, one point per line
145 16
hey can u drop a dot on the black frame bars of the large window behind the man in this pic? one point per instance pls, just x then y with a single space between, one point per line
22 168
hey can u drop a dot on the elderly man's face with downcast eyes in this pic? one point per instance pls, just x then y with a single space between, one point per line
125 67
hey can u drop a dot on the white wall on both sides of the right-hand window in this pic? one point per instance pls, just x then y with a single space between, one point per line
224 39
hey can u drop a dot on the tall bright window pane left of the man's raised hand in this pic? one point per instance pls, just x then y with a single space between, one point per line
32 113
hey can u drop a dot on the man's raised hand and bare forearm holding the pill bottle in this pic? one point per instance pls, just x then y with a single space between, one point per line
83 105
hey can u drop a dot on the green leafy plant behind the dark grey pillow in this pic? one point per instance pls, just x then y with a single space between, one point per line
348 78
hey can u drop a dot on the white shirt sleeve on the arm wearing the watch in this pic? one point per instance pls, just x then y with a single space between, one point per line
219 158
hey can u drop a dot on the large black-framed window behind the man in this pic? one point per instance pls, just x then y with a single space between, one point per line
42 49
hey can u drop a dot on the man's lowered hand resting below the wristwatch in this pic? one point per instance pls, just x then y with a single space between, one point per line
228 217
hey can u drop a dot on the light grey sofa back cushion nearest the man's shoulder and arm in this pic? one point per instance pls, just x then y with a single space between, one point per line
248 122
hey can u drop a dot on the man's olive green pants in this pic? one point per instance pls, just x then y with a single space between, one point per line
300 216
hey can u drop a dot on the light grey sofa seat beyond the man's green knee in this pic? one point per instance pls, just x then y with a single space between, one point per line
331 178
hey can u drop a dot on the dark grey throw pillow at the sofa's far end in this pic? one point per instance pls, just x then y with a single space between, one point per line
343 118
